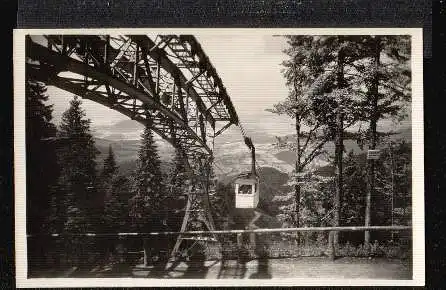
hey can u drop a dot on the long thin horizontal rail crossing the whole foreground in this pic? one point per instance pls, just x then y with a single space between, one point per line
222 232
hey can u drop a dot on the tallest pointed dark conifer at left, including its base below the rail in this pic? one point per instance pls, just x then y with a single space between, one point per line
77 201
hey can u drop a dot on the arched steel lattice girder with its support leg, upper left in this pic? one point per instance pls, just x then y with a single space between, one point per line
121 78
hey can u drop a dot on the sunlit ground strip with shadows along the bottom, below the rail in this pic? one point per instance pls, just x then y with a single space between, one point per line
343 268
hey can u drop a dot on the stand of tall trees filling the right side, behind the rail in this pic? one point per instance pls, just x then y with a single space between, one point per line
337 86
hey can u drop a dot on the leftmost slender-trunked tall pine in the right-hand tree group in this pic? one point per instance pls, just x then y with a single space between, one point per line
300 73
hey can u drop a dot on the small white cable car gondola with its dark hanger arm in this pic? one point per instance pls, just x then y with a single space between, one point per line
247 184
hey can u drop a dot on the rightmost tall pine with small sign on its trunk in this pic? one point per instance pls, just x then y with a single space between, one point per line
387 78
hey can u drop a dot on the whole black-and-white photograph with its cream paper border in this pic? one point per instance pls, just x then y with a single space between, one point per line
219 157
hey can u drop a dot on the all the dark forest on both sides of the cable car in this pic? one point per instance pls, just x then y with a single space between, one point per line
337 86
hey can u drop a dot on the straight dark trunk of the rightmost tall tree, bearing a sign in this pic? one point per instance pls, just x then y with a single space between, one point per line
373 123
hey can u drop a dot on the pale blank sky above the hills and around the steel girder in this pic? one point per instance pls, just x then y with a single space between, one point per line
249 66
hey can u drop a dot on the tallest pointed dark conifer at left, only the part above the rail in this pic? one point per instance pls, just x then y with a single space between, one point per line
78 174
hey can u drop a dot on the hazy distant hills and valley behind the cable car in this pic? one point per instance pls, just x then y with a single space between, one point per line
231 157
